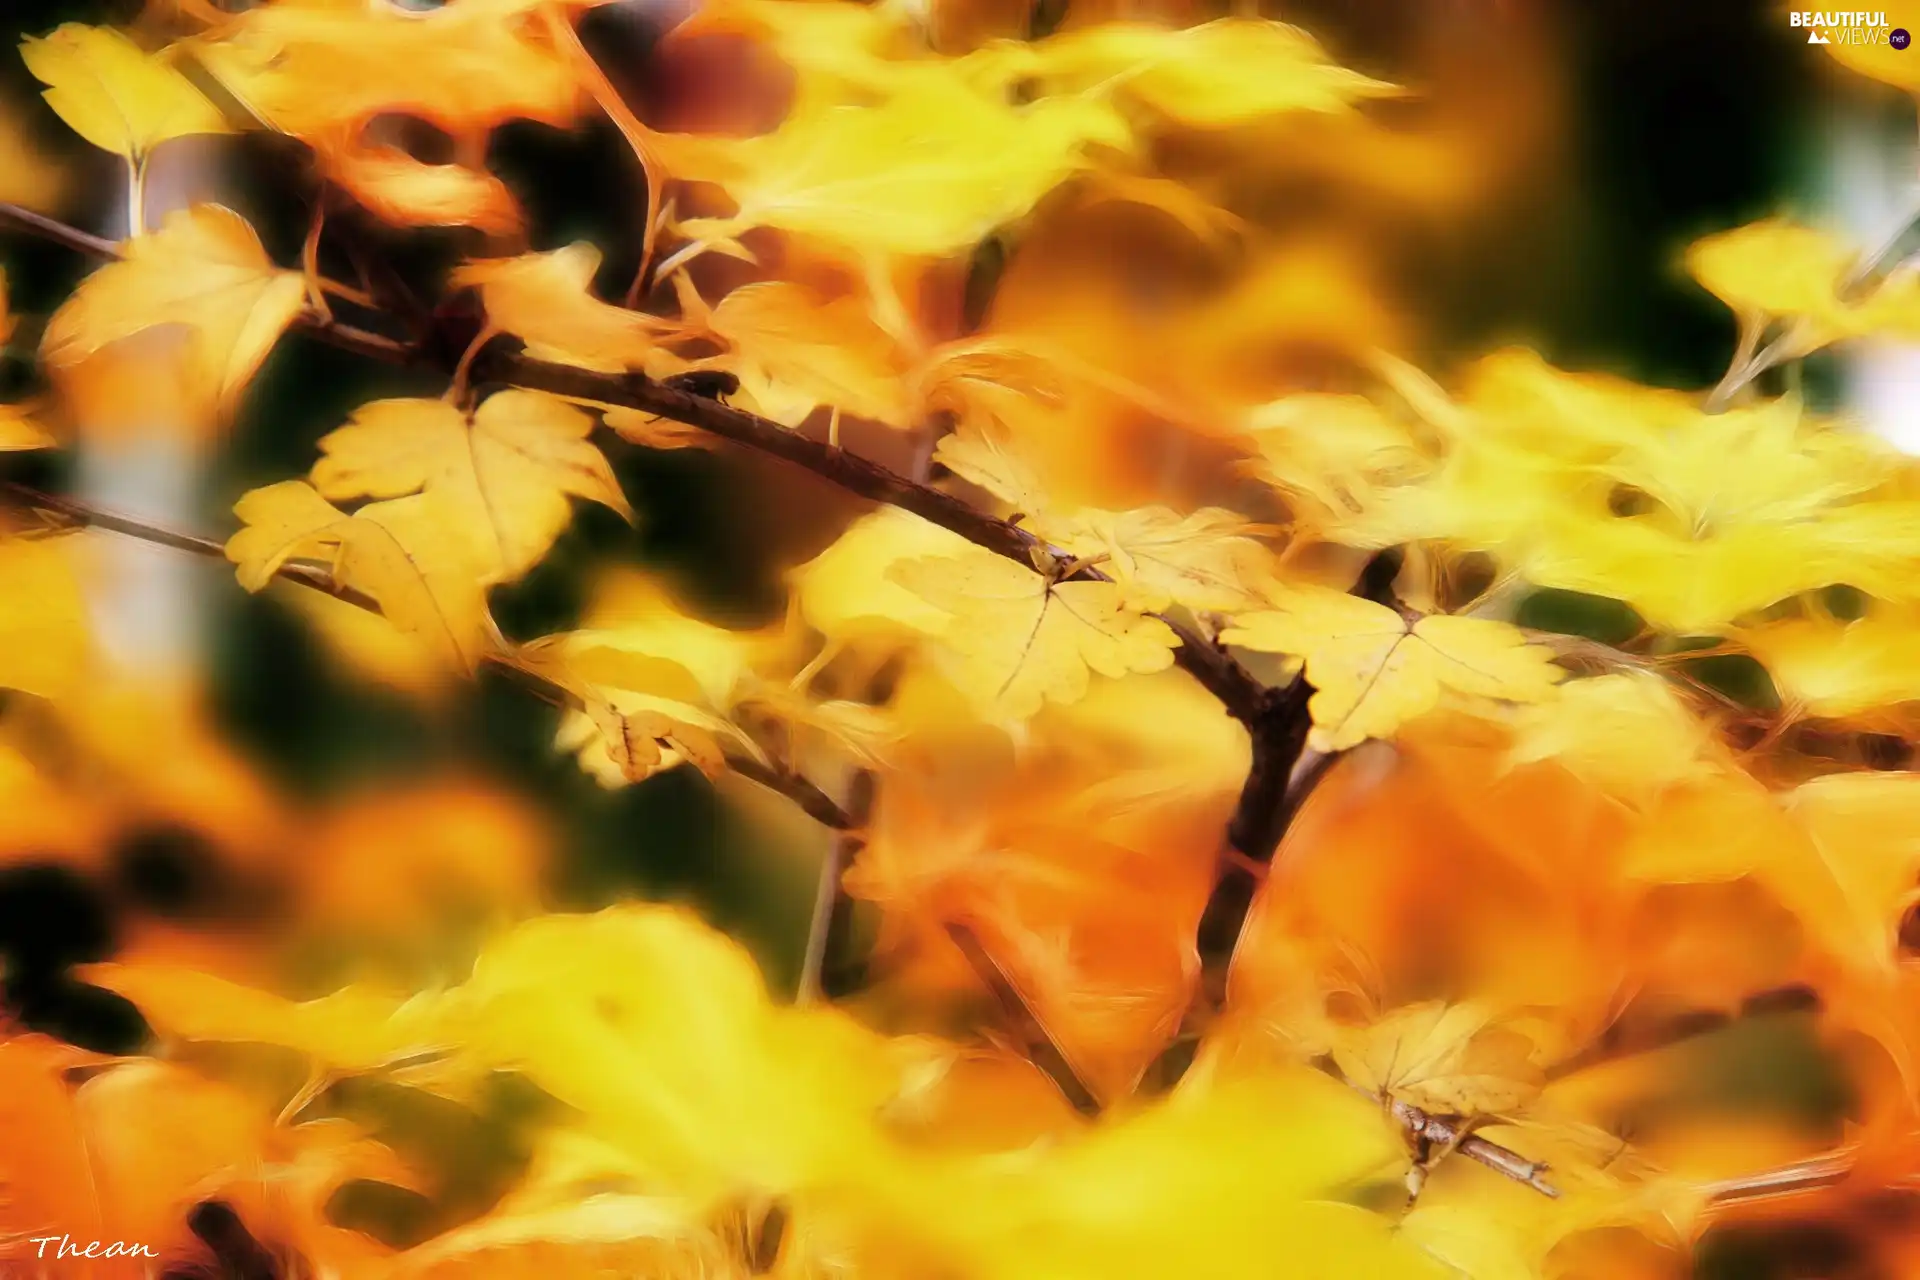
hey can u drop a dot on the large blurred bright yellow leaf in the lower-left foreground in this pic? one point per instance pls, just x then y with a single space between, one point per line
692 1072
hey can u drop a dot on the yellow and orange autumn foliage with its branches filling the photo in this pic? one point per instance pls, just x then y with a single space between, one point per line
1257 880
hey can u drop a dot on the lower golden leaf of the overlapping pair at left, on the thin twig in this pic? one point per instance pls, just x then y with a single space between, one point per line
410 556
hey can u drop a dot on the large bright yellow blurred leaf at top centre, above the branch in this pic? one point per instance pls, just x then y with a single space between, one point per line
924 174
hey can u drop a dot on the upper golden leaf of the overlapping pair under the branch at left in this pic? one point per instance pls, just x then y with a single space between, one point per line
504 473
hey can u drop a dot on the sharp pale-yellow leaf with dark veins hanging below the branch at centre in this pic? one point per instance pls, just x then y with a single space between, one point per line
1019 642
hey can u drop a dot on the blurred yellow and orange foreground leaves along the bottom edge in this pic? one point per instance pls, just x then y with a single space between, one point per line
704 1093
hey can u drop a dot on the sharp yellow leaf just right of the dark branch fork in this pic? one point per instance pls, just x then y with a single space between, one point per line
1374 669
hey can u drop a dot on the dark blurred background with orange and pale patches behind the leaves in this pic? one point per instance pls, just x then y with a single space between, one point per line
1537 189
